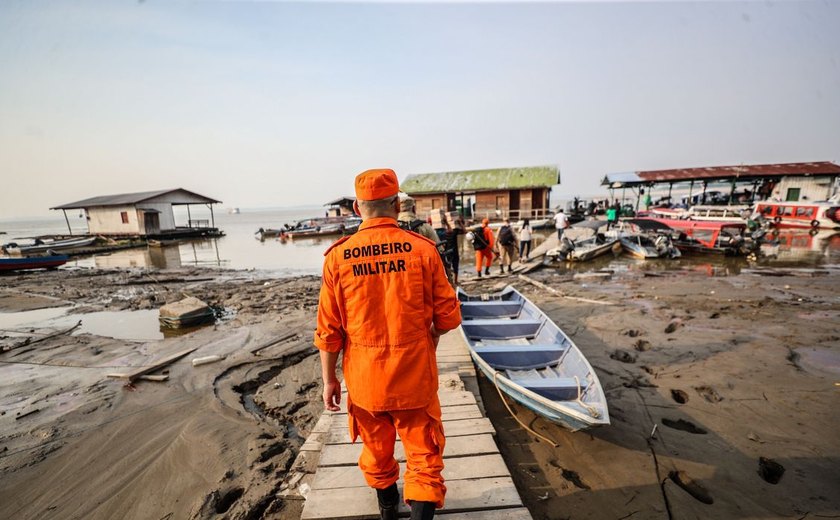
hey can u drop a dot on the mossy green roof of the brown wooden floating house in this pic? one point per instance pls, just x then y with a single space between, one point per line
482 180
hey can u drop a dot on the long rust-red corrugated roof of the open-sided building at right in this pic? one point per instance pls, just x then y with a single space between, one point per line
753 170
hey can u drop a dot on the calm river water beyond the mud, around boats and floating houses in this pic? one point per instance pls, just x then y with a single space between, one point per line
240 248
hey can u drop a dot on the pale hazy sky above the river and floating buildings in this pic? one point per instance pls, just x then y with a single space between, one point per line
280 103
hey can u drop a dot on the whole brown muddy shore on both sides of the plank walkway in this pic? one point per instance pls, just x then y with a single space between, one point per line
737 373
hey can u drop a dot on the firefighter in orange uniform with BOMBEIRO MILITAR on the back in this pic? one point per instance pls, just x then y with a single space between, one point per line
384 303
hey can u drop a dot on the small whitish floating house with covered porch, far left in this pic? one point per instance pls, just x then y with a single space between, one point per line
148 214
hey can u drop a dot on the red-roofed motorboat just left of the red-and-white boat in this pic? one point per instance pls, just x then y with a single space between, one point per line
698 236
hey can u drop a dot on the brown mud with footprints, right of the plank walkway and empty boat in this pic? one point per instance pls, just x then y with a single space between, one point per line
737 375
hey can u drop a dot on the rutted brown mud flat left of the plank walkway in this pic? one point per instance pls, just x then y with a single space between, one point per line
214 441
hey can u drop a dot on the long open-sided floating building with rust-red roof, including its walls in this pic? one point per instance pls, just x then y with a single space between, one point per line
791 182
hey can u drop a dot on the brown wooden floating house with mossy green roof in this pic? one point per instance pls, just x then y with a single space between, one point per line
499 193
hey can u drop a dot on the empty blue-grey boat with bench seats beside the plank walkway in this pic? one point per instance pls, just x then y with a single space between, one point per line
531 360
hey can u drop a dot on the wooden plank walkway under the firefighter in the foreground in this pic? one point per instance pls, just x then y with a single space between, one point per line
479 485
